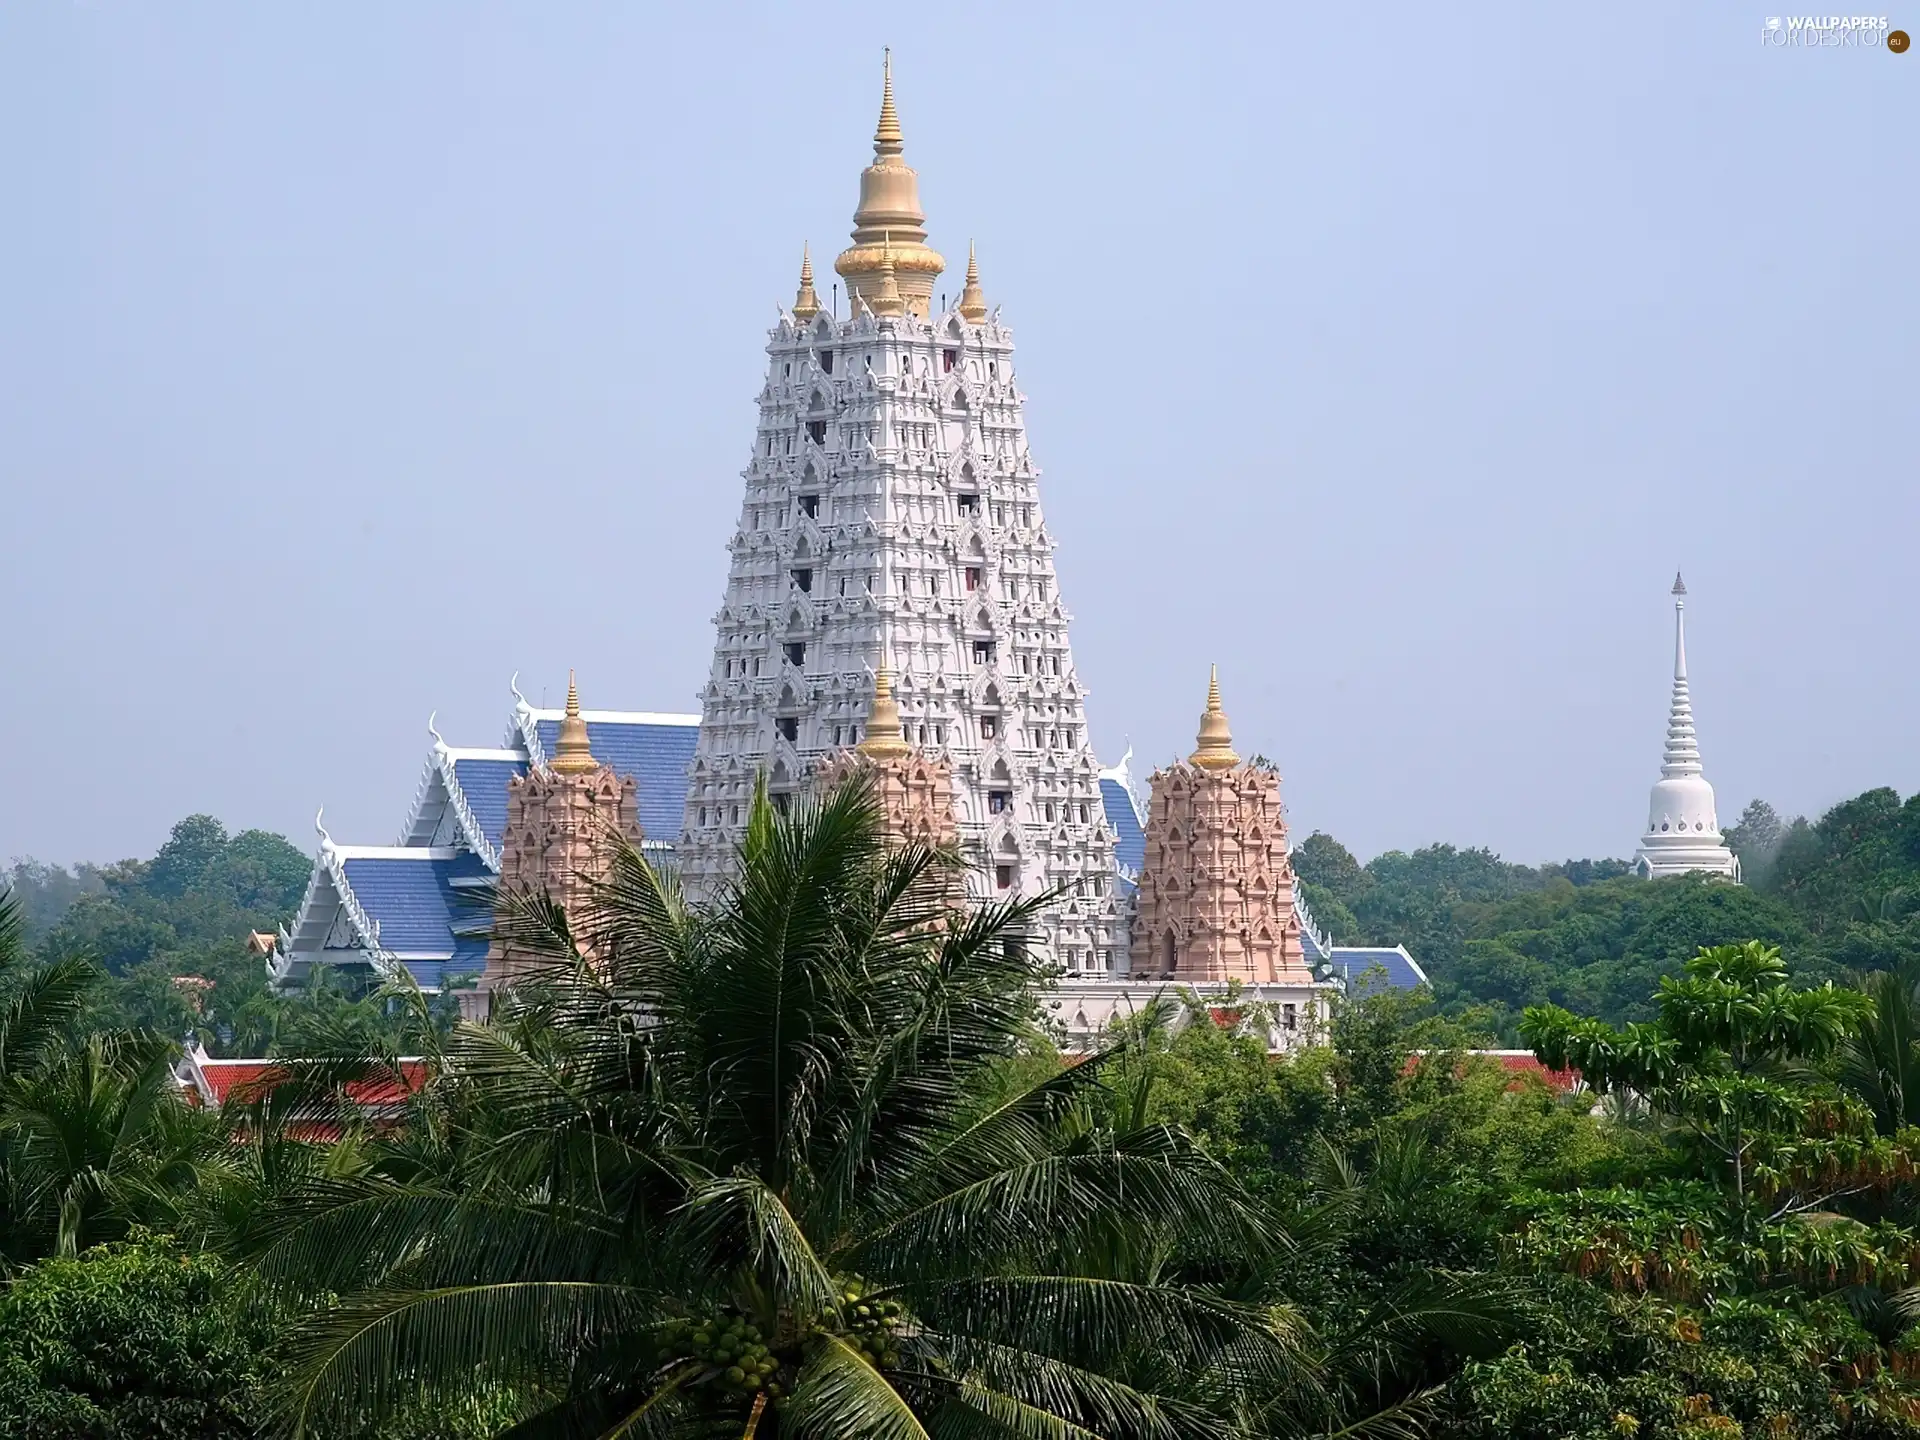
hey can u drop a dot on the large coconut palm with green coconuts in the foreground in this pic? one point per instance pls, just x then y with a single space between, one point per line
790 1164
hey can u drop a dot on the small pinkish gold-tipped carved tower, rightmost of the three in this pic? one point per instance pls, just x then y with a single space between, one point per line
1216 898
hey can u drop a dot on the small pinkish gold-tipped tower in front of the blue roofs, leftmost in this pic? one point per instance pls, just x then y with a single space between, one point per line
562 823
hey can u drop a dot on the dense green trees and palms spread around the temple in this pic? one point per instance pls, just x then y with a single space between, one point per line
805 1163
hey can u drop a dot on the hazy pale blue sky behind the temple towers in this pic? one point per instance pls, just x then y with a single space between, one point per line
354 358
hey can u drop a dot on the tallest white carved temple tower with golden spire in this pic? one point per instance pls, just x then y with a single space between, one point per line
894 517
